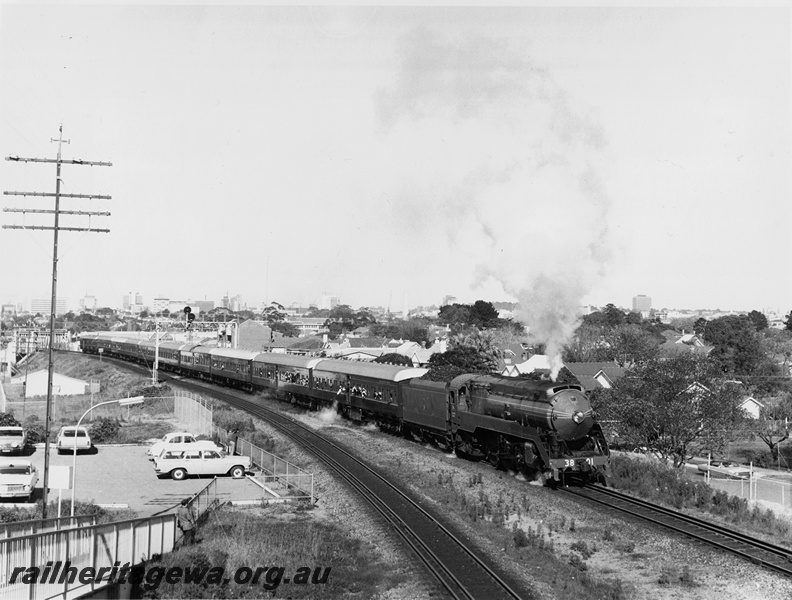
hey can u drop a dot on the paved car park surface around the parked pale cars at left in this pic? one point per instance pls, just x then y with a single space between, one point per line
123 475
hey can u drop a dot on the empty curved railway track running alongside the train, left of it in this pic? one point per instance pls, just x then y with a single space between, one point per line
462 572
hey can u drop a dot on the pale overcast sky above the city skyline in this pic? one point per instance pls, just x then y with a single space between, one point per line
558 156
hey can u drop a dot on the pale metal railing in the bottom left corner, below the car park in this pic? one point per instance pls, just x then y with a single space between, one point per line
60 556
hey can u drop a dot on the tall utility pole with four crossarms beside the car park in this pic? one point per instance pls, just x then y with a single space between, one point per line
56 228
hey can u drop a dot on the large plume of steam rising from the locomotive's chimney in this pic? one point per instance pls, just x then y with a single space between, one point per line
506 169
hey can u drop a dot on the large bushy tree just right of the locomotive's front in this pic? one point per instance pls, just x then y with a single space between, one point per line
677 406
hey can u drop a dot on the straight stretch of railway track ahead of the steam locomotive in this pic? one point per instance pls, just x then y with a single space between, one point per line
773 557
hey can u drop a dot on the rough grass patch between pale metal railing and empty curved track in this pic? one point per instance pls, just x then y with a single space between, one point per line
234 540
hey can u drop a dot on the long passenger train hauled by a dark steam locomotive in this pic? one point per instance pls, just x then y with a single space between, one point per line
543 429
